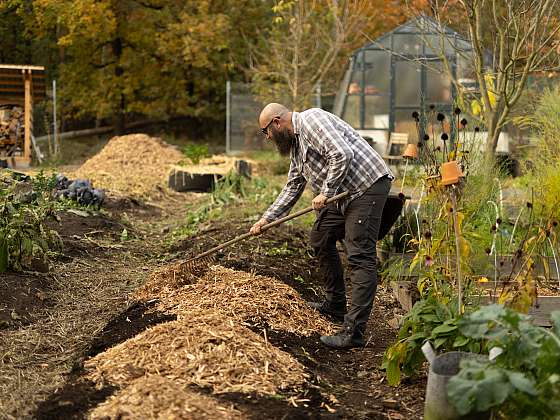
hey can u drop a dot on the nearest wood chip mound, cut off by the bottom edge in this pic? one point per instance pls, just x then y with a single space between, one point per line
159 397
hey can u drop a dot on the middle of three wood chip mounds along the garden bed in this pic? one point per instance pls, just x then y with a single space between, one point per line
204 349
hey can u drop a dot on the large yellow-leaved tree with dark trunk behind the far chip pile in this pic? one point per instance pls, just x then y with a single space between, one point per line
147 57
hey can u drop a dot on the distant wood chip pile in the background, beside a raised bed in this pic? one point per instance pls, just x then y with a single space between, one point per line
133 165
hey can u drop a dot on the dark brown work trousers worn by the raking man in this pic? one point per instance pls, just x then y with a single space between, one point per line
358 227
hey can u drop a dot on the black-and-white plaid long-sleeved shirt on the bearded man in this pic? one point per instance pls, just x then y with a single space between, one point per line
332 157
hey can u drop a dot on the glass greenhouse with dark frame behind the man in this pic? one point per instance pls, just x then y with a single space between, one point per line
403 71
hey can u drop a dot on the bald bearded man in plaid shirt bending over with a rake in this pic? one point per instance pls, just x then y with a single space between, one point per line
332 157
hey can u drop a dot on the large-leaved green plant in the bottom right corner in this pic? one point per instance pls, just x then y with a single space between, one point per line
524 380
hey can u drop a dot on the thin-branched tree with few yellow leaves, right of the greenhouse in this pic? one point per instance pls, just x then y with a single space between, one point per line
522 37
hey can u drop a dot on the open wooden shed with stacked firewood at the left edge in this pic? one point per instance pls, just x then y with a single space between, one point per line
20 87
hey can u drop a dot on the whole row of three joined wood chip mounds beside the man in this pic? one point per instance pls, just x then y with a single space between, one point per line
209 346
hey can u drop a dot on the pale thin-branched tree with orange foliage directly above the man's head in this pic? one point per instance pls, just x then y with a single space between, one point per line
309 43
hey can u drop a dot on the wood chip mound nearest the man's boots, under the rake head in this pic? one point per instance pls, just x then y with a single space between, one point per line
261 301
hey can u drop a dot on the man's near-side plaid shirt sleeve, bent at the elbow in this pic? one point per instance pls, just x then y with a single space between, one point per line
337 151
